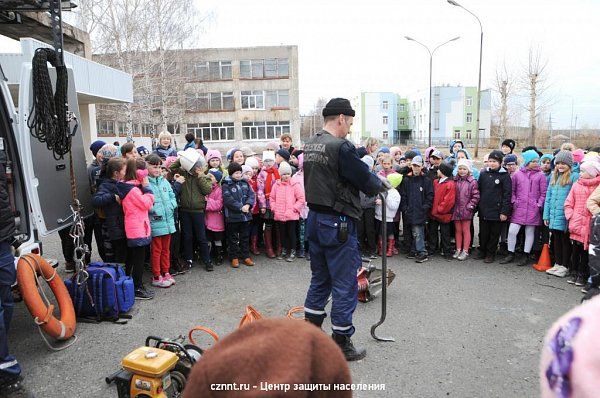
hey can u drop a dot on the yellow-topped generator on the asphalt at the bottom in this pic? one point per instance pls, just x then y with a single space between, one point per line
158 371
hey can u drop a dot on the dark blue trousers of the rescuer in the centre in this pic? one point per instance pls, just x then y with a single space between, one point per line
334 266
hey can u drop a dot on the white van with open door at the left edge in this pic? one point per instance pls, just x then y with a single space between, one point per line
39 186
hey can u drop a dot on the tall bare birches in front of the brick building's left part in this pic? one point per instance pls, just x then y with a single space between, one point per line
138 37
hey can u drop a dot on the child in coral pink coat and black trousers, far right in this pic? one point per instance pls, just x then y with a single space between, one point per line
579 218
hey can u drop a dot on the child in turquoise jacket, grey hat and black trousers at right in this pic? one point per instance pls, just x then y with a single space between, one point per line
561 182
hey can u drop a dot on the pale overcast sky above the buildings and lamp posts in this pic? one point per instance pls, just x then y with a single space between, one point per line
349 46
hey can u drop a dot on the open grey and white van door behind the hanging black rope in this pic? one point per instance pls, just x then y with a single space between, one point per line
48 180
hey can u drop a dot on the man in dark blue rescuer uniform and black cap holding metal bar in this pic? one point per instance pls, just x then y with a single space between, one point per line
333 177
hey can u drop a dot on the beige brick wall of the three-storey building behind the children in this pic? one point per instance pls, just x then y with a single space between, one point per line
201 121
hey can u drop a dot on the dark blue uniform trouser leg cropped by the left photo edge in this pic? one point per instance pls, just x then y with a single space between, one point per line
9 367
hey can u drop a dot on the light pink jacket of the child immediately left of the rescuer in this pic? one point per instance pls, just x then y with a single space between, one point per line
287 200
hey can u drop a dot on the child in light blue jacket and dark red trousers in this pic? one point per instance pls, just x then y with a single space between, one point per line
162 222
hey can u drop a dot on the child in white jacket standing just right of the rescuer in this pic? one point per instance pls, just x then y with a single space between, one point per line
392 203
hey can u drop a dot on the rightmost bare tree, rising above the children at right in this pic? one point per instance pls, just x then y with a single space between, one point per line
536 83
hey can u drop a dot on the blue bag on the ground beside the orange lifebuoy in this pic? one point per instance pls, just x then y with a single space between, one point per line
107 295
